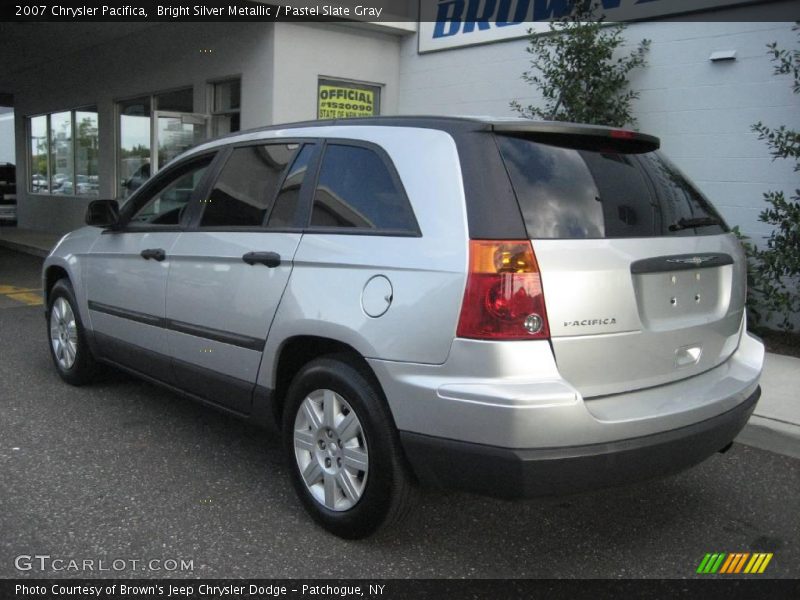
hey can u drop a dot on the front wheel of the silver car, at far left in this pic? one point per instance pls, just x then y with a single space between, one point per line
69 349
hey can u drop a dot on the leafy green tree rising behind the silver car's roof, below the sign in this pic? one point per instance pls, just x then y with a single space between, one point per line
575 69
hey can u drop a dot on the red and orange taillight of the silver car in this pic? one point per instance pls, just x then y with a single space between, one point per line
504 298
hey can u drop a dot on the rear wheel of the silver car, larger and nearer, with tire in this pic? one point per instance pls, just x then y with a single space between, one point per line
345 458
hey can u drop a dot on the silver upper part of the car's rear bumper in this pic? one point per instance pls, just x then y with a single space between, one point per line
511 395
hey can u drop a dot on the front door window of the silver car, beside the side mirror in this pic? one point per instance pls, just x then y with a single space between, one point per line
164 203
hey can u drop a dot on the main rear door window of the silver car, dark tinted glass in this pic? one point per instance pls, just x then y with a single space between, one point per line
246 186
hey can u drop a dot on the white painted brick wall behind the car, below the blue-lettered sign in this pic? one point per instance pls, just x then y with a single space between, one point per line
702 111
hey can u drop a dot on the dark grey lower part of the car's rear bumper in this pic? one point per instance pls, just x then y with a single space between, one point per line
519 473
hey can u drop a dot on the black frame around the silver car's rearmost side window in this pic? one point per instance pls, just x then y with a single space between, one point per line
395 177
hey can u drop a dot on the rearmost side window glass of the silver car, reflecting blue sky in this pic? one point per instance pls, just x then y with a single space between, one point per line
356 190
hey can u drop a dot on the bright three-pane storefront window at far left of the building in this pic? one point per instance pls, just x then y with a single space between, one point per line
63 159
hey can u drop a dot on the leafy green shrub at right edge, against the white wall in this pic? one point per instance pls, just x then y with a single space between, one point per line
776 271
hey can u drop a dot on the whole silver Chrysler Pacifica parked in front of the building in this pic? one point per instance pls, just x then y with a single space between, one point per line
510 307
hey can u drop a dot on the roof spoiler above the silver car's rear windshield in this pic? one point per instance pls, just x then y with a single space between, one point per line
580 137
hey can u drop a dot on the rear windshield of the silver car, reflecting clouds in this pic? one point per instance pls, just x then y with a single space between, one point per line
574 193
